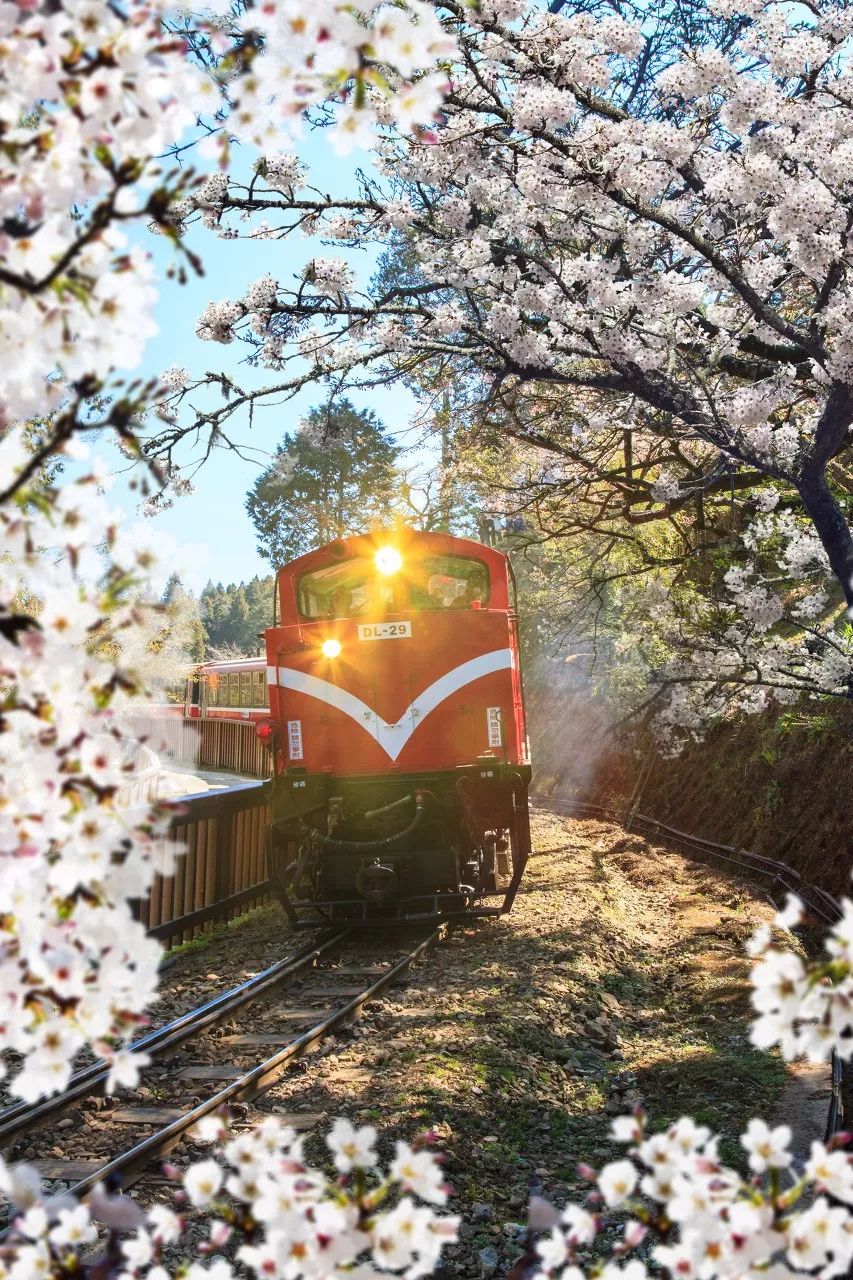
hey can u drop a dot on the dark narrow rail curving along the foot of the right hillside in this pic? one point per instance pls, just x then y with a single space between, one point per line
822 904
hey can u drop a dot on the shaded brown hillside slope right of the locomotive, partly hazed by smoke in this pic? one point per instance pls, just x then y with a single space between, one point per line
779 784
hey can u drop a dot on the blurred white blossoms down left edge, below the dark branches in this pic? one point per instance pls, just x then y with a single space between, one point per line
79 968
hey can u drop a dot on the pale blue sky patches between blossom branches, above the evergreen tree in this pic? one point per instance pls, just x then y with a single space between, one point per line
208 534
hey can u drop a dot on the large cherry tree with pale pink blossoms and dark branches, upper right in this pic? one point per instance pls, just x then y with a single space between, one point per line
633 217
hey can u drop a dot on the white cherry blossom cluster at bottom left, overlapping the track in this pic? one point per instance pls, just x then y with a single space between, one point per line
286 1220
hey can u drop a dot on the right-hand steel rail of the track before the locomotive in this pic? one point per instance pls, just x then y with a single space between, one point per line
252 1085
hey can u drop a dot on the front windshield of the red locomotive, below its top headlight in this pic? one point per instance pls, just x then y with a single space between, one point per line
355 588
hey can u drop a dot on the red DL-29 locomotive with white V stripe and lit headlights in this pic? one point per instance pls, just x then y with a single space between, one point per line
396 730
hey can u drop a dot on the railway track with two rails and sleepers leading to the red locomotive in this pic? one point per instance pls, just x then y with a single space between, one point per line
359 968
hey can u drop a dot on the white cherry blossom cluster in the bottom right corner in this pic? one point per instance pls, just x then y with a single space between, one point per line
696 1218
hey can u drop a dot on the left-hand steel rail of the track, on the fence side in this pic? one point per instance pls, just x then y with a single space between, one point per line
22 1117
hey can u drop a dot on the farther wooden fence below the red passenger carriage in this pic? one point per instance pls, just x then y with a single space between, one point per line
209 744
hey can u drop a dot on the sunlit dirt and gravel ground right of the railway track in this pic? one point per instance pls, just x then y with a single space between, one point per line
619 980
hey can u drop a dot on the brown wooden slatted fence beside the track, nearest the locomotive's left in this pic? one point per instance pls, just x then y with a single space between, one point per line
225 868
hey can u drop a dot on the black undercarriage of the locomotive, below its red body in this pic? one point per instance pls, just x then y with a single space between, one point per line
419 847
